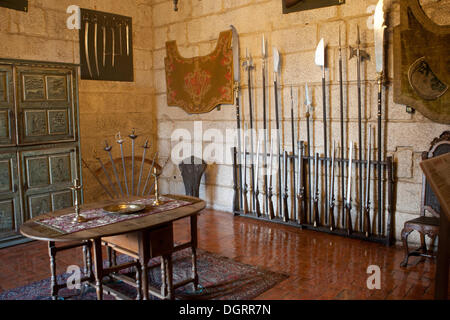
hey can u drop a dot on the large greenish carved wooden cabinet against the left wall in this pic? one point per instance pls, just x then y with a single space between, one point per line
39 141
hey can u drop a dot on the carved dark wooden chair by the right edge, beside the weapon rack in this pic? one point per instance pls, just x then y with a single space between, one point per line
426 225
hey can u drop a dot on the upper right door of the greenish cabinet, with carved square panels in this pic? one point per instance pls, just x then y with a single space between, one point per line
46 105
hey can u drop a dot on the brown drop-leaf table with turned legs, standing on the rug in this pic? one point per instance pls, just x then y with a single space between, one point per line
149 233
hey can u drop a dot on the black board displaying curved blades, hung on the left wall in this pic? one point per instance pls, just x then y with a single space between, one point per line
106 46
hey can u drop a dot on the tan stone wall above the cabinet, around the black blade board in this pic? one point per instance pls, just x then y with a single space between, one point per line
106 107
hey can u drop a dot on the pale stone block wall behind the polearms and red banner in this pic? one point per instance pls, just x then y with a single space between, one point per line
196 27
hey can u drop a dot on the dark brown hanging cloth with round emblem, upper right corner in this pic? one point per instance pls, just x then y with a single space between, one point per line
422 63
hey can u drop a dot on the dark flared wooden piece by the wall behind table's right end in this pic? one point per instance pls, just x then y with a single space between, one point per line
192 170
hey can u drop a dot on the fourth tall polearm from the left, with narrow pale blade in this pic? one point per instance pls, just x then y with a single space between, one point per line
276 69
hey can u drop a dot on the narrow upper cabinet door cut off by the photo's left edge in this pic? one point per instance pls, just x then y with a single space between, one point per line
7 123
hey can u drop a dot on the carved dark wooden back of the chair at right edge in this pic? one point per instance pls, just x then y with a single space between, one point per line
430 202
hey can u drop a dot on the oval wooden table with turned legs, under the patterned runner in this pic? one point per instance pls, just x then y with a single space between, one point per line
141 226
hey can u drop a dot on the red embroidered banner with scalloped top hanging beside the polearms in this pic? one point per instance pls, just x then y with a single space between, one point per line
199 84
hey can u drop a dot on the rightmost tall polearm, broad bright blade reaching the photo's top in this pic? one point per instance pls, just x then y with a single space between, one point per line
379 27
